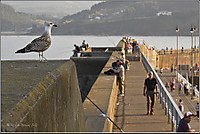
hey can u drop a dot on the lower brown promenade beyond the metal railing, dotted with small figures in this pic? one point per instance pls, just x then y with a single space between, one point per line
188 103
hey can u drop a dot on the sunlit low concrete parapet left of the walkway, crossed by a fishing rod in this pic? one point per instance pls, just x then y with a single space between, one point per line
104 94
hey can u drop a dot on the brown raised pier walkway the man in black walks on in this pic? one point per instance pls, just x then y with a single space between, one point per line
131 109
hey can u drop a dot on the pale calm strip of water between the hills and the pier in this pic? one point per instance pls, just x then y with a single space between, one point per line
62 46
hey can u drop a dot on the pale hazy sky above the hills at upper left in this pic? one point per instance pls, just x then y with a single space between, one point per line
54 8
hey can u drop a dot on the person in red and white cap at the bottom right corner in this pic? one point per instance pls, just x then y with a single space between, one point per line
183 125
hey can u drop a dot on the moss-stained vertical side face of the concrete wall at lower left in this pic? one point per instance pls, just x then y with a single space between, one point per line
53 106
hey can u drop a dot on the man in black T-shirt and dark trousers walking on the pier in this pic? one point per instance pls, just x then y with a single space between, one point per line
150 84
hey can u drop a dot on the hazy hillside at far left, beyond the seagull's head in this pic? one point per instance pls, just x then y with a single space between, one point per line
18 22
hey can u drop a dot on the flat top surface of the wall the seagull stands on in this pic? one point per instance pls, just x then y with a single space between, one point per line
18 78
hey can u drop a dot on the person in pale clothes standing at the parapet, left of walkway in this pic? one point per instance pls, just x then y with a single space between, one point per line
120 70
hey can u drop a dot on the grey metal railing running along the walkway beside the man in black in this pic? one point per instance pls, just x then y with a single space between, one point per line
171 108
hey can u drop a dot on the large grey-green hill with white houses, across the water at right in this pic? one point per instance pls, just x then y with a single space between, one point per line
129 18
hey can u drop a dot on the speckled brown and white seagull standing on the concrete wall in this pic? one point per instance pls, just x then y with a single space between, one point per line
41 43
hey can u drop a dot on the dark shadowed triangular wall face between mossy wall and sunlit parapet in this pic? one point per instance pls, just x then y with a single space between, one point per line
88 69
